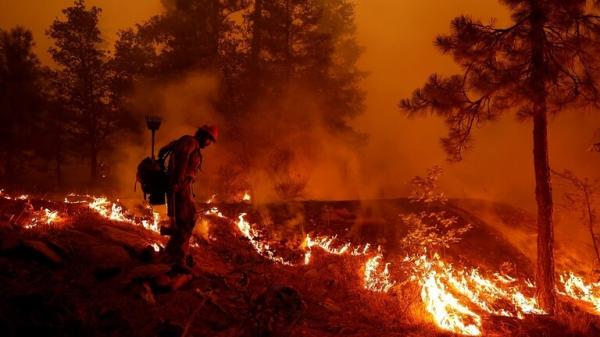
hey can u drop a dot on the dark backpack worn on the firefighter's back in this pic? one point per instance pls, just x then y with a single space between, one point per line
153 178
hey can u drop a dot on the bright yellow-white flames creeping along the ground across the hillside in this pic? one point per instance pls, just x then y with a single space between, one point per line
456 298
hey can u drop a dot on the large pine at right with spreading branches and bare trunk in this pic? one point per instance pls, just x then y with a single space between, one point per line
542 63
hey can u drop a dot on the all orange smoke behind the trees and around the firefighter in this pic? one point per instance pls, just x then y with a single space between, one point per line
399 55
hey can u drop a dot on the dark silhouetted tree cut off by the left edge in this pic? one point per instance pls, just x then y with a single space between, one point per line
21 101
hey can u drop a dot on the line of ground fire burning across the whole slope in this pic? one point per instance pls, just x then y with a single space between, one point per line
455 298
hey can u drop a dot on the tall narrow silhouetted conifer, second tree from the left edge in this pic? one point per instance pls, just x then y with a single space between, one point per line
84 78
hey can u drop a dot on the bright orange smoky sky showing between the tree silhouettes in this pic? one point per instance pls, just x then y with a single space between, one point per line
399 56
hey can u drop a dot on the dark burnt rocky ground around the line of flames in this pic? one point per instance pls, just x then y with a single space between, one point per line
92 277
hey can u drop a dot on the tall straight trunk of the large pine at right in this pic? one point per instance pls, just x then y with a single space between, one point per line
545 277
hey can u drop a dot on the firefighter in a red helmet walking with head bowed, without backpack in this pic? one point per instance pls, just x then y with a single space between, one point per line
185 159
